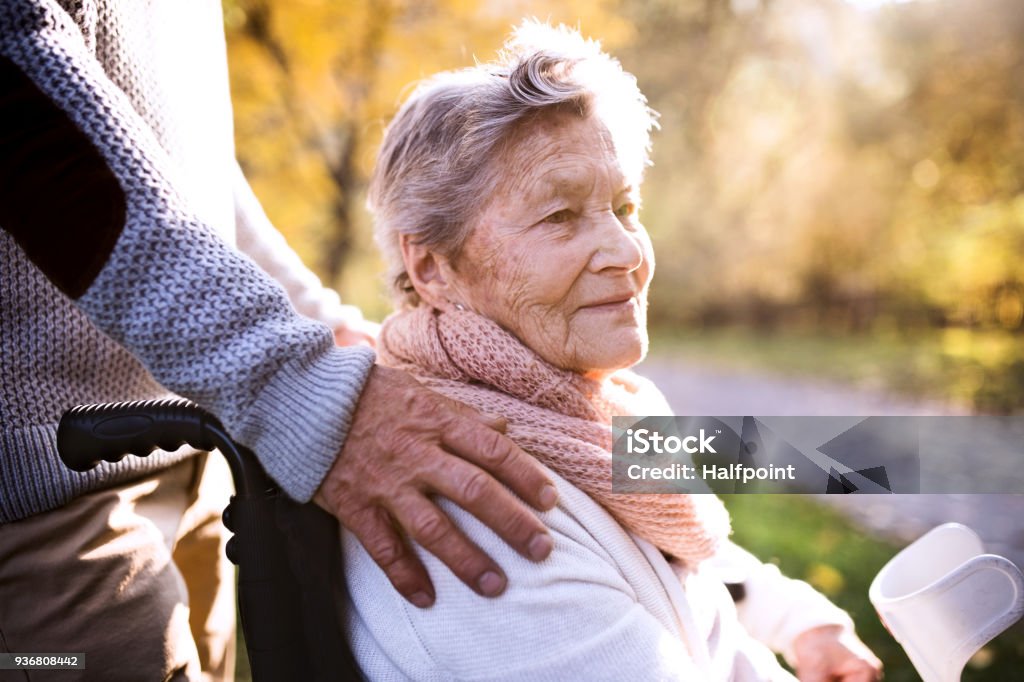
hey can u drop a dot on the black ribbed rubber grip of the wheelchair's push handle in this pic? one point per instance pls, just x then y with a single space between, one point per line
92 434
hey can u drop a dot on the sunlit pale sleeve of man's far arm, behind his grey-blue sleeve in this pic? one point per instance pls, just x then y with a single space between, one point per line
259 239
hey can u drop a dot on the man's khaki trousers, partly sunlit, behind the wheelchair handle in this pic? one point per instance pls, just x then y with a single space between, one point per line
134 577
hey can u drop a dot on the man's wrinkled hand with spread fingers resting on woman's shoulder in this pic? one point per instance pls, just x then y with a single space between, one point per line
408 444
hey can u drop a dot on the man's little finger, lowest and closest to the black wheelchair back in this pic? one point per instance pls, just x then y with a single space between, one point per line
373 528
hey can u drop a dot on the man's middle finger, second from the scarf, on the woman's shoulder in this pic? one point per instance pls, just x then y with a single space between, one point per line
482 496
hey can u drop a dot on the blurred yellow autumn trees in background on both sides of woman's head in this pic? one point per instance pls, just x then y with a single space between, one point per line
818 164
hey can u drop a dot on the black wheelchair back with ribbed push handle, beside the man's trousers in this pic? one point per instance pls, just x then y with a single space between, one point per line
288 555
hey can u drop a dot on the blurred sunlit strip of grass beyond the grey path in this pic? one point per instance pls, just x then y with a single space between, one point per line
982 370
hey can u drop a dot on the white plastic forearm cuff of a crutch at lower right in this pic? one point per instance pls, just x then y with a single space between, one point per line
944 599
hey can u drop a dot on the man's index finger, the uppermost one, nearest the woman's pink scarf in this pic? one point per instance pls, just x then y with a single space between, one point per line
501 457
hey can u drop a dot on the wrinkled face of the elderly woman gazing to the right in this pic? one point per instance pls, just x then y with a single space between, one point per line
559 257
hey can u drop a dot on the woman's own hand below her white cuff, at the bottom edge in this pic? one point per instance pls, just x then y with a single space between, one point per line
834 654
